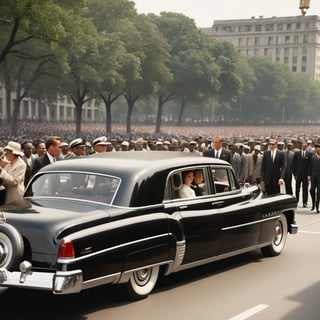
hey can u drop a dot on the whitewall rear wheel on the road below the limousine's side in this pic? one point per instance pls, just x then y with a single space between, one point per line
142 282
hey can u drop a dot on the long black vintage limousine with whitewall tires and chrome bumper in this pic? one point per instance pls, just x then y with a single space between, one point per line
117 218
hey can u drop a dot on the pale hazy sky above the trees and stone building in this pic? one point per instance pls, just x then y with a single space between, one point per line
204 12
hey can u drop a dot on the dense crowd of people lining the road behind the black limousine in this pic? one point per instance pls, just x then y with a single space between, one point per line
273 162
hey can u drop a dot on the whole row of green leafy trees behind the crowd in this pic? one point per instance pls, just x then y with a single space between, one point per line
104 50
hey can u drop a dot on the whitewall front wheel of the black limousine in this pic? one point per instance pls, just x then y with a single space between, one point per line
279 238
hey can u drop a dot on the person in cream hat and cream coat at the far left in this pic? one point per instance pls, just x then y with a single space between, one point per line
12 172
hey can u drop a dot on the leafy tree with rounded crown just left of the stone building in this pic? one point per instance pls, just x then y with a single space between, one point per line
192 65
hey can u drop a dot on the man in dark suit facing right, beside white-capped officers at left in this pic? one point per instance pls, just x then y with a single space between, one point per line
53 144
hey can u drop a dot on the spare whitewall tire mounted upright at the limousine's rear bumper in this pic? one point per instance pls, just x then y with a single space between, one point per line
11 247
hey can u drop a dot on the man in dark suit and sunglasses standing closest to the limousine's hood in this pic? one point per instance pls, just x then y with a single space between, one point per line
272 168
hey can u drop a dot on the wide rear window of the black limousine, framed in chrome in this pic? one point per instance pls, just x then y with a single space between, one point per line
82 186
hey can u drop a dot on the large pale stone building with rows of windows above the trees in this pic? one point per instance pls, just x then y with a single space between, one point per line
294 41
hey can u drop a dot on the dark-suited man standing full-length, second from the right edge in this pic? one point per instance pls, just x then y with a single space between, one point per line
300 166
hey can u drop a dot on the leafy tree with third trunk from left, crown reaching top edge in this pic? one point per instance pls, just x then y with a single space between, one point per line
114 20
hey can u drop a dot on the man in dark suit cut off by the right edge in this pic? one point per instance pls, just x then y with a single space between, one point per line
314 176
